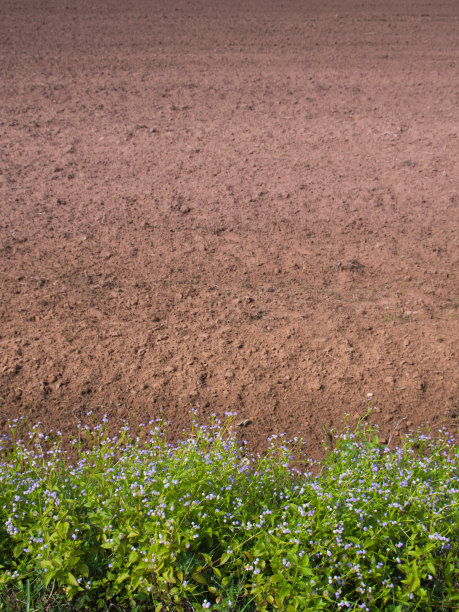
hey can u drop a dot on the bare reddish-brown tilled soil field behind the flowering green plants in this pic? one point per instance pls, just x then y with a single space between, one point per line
240 205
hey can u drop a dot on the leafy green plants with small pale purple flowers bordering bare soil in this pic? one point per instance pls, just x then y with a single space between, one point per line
133 522
